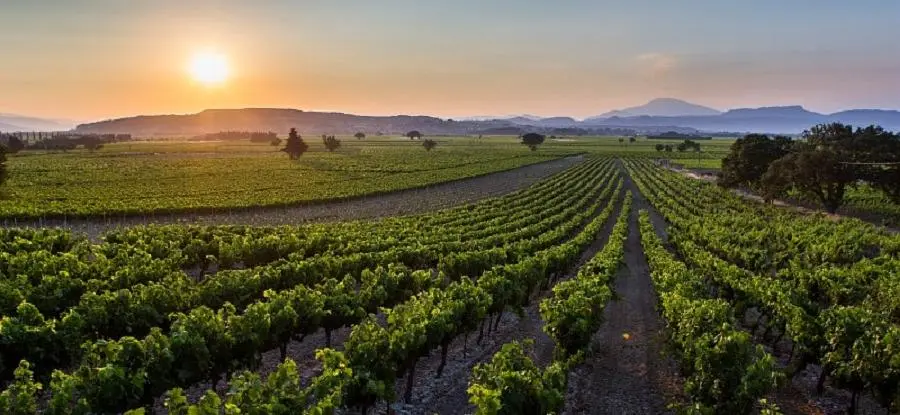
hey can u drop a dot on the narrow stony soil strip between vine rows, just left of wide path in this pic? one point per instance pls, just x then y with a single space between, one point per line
447 395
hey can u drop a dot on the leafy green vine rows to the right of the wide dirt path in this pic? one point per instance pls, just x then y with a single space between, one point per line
825 285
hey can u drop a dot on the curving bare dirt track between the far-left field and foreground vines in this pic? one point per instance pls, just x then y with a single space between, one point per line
402 202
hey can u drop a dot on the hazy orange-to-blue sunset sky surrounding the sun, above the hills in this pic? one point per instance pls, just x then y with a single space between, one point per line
90 59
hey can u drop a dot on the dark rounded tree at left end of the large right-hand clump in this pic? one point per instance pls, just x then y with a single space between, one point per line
749 158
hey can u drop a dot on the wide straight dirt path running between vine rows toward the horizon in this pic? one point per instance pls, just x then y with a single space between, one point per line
627 376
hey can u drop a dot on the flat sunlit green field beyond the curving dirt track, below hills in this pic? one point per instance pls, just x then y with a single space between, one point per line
168 176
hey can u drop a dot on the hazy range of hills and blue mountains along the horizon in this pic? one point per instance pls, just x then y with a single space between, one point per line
658 115
